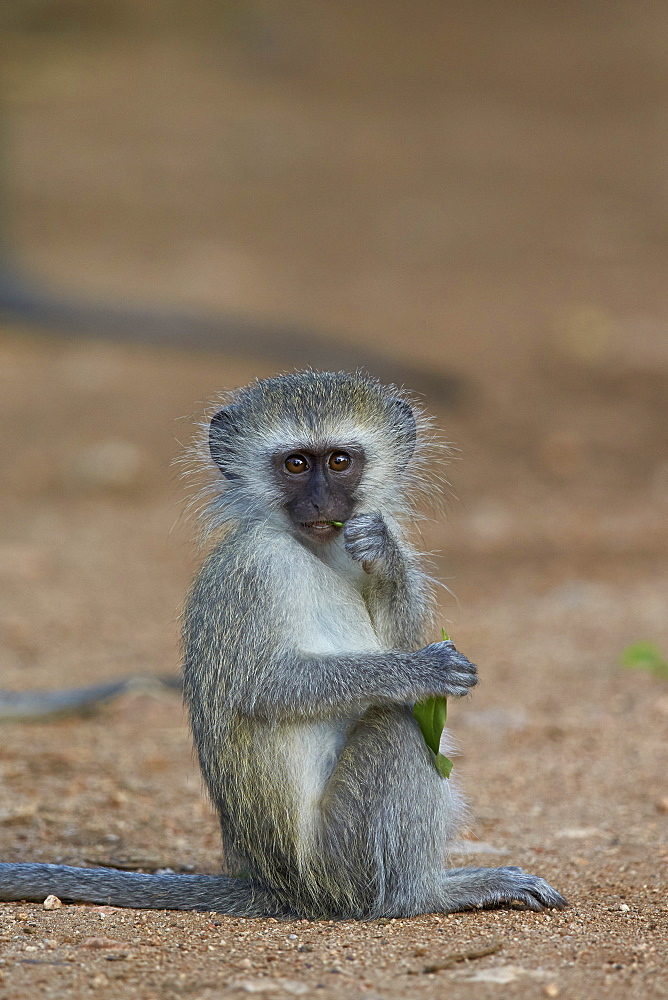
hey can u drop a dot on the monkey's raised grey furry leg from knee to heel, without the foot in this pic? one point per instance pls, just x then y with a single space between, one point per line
386 816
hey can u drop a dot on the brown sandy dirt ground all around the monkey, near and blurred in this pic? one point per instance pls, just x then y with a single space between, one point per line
484 191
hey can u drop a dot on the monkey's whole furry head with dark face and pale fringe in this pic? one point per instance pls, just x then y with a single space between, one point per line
314 447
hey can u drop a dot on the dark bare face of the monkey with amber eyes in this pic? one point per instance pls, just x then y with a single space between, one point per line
319 487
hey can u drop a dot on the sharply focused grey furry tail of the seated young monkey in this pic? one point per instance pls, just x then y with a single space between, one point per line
236 897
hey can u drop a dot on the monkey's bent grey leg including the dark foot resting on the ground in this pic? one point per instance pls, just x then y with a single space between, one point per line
392 830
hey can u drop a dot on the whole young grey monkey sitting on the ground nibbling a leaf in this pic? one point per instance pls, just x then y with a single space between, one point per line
304 652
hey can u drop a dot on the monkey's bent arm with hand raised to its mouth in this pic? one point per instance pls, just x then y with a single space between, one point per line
397 594
